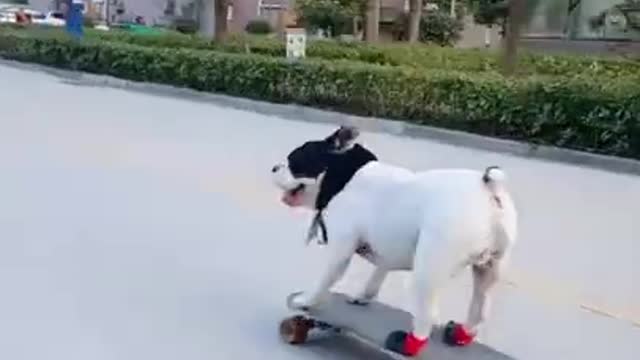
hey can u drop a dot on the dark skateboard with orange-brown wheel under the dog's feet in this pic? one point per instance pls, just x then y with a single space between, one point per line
371 324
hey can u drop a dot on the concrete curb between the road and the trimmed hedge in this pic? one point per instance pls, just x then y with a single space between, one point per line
308 114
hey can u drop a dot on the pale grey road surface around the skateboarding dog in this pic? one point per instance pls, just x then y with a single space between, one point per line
143 227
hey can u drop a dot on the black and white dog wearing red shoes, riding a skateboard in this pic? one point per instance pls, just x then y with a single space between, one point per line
433 223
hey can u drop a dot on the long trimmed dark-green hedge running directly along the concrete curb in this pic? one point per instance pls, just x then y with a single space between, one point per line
576 113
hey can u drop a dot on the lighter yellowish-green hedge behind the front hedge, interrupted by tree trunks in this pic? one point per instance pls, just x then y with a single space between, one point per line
397 54
